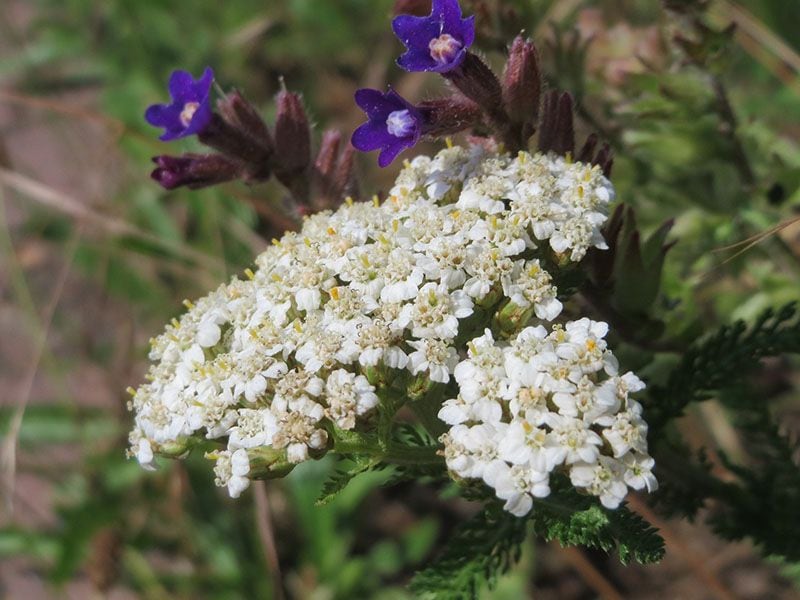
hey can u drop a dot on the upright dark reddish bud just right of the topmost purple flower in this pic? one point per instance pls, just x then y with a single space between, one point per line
522 84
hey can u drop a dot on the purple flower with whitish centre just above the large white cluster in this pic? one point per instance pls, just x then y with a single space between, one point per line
393 125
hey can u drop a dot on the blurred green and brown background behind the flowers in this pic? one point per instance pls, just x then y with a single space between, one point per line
96 257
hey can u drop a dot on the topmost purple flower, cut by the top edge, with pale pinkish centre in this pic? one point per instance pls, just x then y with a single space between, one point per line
436 43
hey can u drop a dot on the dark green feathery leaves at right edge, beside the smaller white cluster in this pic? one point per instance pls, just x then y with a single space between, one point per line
760 503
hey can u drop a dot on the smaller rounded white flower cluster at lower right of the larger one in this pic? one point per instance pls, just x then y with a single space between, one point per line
542 403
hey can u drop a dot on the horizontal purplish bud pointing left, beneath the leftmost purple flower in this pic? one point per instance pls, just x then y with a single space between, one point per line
194 170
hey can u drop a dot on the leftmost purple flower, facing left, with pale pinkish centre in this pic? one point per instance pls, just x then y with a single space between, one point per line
190 110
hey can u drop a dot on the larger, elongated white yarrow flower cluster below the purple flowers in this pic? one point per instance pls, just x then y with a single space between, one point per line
276 359
